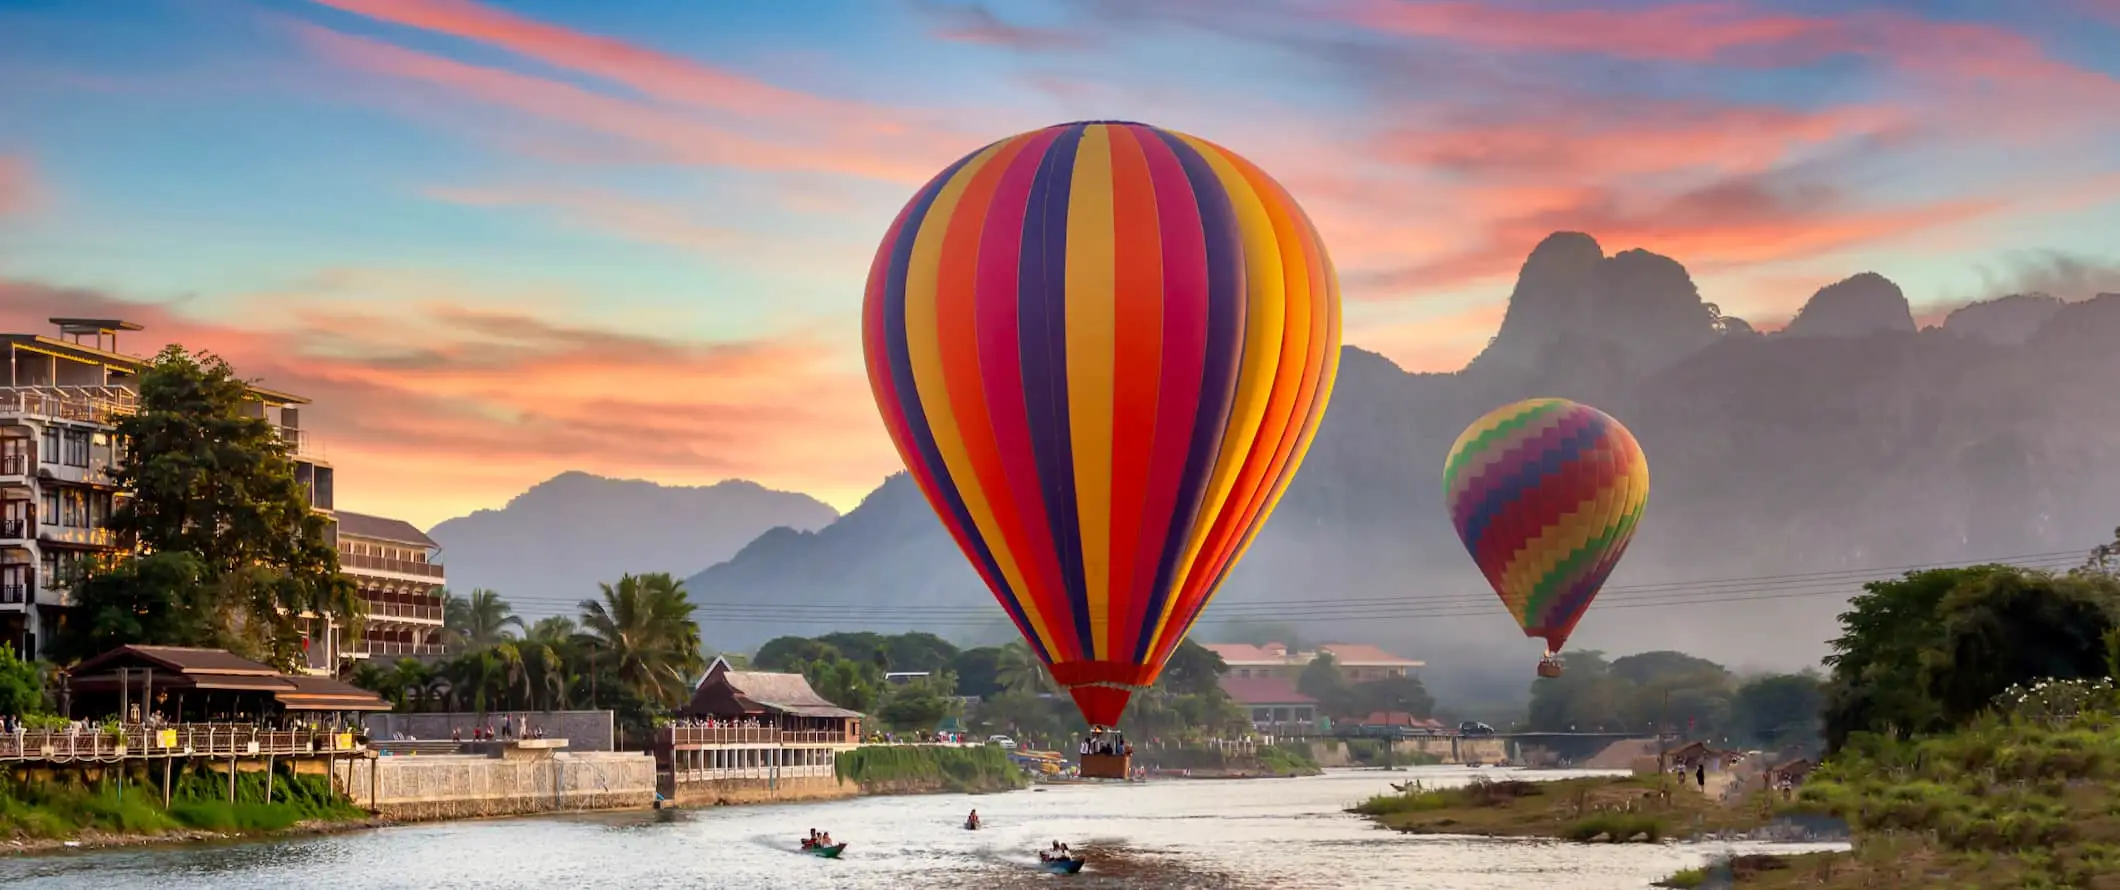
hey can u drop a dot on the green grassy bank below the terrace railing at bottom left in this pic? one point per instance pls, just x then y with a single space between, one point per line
43 813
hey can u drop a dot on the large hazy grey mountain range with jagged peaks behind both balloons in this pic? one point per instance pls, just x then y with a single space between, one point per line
1850 442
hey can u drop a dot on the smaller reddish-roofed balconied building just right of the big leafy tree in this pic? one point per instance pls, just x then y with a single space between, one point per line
402 584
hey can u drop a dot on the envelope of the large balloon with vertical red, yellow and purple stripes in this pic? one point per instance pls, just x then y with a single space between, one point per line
1101 351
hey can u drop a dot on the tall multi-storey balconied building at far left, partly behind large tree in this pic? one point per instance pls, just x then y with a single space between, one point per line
58 452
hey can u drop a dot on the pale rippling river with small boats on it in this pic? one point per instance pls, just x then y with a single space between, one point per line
1184 834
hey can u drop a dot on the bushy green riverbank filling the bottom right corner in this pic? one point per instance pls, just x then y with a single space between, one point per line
1987 808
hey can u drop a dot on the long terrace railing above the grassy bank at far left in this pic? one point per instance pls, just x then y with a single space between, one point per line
183 741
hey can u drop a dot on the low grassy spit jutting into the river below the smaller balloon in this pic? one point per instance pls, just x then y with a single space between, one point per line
1619 811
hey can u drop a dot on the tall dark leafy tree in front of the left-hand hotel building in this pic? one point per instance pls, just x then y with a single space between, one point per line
217 482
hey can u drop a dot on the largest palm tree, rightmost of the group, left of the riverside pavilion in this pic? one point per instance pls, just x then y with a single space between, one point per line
643 637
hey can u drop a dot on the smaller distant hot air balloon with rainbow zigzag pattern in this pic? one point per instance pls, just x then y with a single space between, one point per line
1547 495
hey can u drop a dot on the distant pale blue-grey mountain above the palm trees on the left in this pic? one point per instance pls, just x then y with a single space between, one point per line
554 544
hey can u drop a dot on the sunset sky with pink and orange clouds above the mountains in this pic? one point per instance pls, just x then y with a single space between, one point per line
501 241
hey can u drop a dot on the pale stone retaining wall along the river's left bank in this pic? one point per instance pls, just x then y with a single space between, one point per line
523 781
